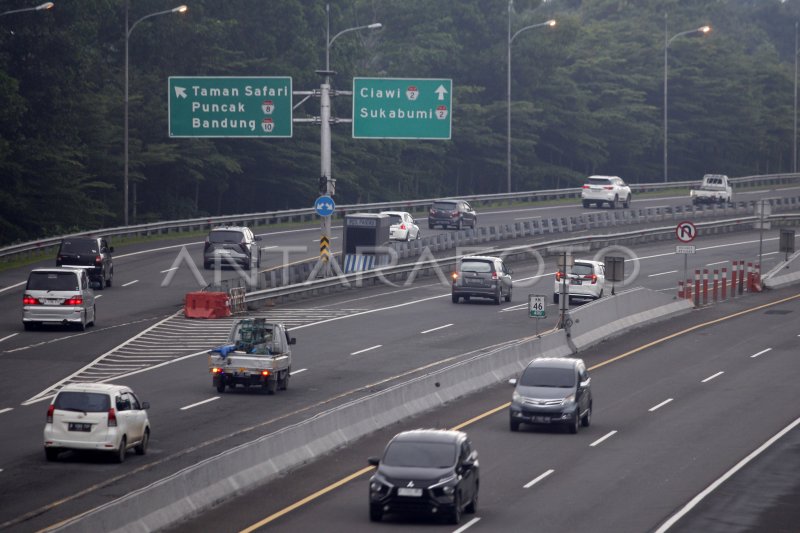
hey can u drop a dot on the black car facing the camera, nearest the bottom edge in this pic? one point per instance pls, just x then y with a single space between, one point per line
426 471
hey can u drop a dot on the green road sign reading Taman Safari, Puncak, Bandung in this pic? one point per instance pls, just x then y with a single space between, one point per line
230 106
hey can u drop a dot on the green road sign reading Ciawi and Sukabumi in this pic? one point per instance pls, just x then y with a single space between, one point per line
402 108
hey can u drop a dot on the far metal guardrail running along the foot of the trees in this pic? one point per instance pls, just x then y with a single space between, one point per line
308 214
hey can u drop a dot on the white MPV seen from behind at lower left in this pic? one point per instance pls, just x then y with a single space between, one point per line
96 416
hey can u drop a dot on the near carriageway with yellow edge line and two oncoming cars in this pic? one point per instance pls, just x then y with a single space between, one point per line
674 413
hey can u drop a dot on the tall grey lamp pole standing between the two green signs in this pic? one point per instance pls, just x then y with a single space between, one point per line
325 117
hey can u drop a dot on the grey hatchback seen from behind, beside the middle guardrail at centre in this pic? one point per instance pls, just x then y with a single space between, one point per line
482 276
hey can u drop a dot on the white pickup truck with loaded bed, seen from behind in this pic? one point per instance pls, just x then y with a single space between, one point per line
257 354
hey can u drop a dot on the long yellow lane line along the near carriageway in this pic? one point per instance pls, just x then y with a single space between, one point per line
499 408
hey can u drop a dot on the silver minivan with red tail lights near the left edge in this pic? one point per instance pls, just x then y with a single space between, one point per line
58 296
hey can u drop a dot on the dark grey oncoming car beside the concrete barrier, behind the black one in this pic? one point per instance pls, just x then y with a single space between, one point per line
552 390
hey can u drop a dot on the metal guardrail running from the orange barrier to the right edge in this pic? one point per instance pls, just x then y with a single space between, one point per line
510 253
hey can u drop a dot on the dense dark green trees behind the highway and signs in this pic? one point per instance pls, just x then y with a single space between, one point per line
587 98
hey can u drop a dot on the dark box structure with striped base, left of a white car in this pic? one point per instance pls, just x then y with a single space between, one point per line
366 239
